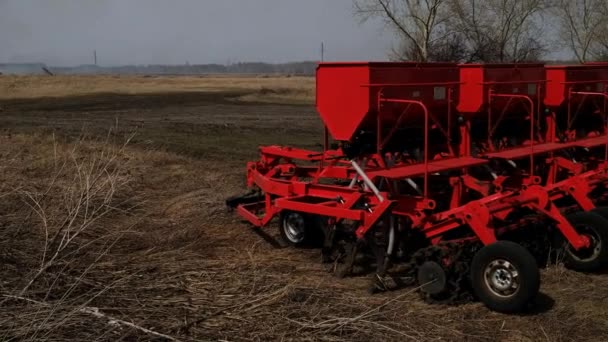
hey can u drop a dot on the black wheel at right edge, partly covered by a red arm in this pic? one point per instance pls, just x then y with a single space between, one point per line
594 257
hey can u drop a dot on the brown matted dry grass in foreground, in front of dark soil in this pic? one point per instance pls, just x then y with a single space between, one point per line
172 262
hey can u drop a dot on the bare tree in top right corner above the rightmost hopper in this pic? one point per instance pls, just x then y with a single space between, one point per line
583 27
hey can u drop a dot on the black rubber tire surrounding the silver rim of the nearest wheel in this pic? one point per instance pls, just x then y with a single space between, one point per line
521 260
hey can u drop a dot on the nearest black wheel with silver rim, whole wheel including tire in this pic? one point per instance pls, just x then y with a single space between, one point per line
505 276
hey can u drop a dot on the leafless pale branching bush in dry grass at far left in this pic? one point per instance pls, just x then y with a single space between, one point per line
80 193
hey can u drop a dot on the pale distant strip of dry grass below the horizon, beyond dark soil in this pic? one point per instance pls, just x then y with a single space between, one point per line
296 89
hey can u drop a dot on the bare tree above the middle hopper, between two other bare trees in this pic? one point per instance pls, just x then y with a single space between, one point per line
500 30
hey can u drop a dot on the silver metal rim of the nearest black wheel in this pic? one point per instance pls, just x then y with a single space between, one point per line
502 278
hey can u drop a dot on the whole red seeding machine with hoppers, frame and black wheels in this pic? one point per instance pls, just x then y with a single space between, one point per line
463 179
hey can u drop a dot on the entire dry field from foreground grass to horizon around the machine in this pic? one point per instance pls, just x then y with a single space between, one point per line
113 226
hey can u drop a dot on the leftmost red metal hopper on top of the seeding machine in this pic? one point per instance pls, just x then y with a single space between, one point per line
347 93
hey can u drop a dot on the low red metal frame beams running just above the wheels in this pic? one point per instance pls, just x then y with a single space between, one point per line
338 202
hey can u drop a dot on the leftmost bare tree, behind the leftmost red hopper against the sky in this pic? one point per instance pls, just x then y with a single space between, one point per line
419 23
